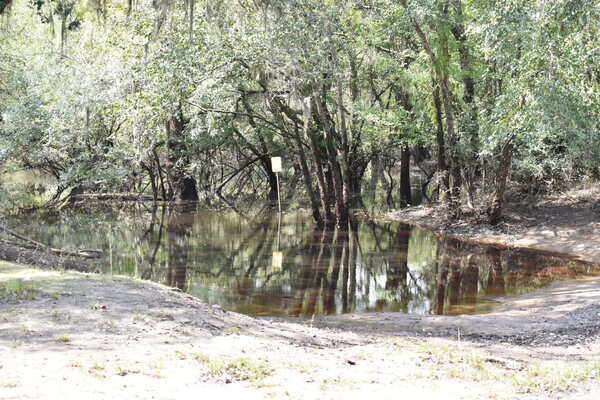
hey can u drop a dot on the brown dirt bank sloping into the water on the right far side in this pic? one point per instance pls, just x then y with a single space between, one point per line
566 223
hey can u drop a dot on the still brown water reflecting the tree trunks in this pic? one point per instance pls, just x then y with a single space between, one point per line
261 265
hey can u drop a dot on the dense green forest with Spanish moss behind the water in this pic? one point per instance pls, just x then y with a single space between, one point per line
184 100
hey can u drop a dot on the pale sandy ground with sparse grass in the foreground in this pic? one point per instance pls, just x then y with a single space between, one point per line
71 335
